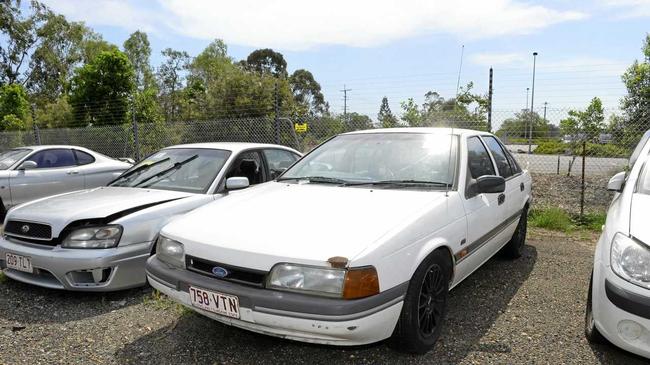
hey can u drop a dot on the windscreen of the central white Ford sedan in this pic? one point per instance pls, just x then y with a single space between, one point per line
377 157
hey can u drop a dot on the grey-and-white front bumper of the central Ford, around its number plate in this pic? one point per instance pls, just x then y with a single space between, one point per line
289 315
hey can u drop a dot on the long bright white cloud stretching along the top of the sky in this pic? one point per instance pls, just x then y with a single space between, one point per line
300 24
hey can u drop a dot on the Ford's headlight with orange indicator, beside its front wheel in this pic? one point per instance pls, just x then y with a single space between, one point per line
340 283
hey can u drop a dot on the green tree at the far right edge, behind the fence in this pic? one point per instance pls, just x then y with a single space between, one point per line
636 104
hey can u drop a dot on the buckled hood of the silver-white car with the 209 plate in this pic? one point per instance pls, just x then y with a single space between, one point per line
60 210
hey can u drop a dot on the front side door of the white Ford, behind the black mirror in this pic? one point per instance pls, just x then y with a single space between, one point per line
483 211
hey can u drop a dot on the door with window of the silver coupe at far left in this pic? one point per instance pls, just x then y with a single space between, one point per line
56 172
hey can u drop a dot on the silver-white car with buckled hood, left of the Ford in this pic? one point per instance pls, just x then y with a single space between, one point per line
99 239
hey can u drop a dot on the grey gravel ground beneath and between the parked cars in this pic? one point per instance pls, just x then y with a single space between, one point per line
525 311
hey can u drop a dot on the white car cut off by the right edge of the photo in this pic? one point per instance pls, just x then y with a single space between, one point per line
618 303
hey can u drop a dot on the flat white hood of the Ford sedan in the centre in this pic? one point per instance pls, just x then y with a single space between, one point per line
302 223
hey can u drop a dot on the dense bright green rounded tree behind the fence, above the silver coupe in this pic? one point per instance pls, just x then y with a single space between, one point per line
100 90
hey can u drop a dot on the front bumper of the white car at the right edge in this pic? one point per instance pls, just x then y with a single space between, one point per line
621 311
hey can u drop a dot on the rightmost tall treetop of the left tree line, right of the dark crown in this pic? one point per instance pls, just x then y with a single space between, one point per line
307 93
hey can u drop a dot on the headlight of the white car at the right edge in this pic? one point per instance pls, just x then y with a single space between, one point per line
630 260
